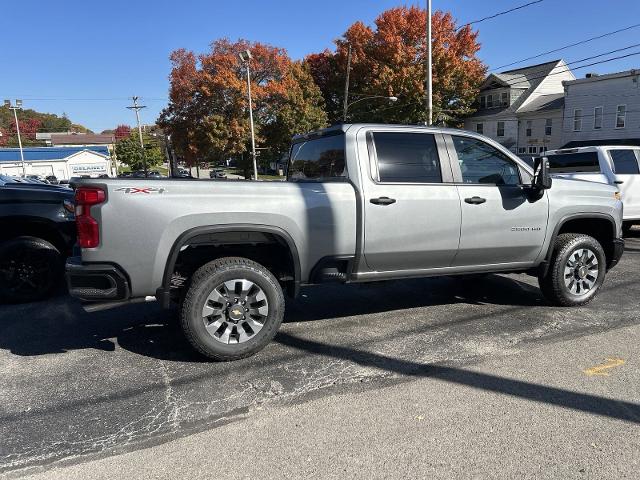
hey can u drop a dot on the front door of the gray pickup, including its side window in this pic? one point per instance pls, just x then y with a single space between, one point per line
501 222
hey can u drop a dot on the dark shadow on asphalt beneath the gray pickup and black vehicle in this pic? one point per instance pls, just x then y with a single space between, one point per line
61 324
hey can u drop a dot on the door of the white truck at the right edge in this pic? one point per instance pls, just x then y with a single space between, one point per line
626 167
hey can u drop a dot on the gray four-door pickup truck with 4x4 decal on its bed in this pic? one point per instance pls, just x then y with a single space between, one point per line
361 203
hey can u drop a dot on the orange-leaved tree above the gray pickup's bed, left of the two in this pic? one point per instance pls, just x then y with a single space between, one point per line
207 115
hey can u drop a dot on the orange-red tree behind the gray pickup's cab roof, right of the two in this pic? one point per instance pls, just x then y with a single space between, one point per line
390 60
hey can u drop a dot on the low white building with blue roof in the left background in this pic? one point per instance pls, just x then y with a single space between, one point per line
63 162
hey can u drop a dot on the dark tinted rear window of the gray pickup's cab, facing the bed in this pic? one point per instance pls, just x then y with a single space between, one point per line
318 159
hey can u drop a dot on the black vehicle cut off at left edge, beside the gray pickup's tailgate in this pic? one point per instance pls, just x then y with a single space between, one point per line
37 233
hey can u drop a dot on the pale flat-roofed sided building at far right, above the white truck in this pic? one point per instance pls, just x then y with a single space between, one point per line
602 110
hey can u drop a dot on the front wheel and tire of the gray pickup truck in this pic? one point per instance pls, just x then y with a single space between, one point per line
564 262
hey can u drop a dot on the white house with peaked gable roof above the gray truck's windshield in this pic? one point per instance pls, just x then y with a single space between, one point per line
522 108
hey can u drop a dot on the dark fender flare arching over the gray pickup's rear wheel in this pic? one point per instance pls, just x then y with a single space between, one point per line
163 293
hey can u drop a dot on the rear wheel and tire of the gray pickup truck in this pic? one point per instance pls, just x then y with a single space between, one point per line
235 330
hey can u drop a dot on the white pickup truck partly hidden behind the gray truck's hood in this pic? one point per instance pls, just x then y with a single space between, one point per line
617 165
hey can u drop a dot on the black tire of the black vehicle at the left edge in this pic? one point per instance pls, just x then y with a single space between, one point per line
31 269
